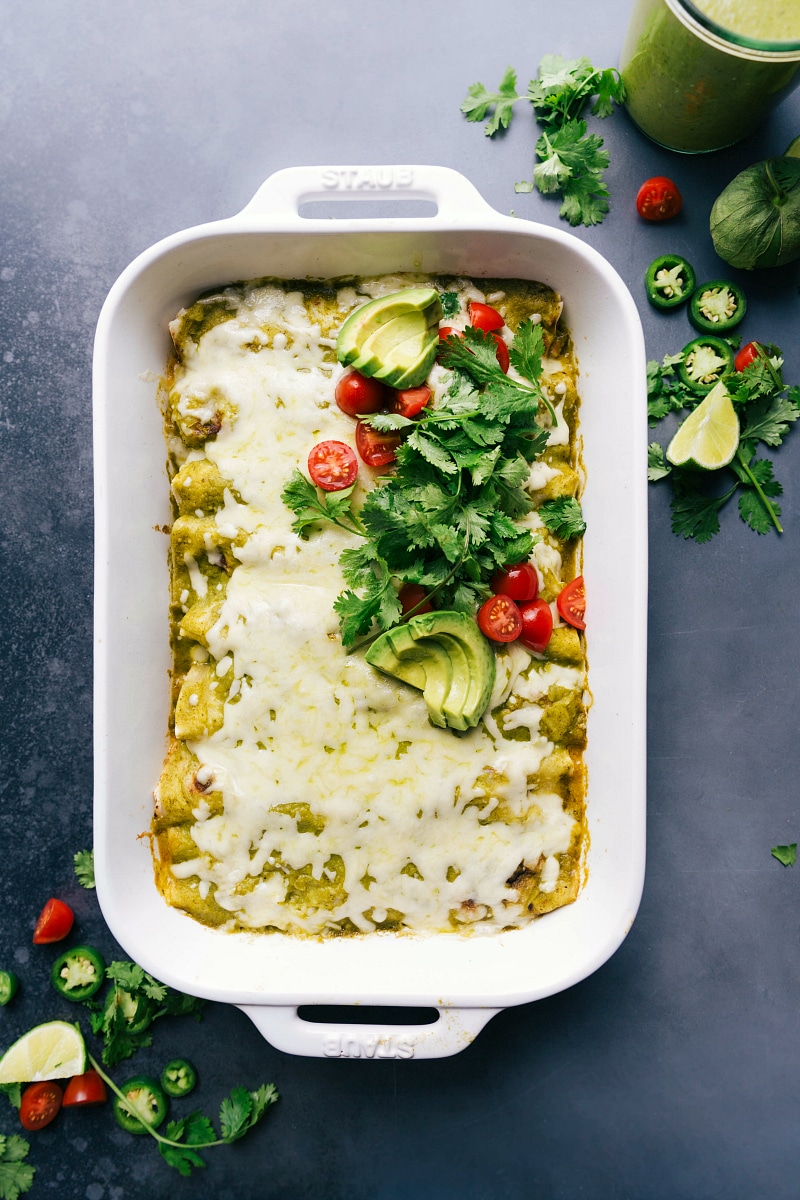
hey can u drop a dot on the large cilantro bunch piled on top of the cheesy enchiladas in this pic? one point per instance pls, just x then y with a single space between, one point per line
448 518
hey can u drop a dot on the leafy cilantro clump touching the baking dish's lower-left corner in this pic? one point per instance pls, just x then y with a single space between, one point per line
135 1001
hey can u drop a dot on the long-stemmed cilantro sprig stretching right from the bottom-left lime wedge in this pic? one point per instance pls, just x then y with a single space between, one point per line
183 1141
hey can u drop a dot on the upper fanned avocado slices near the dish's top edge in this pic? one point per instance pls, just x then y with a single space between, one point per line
394 338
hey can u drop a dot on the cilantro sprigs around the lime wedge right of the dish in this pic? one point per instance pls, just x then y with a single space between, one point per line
767 410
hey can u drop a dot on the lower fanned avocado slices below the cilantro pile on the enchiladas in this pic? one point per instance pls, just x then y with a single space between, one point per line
458 661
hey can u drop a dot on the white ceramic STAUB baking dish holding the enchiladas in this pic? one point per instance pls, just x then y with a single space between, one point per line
467 979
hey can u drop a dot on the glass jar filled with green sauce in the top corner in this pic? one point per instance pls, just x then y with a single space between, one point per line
695 86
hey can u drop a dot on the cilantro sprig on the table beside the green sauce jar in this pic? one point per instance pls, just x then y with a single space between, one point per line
572 161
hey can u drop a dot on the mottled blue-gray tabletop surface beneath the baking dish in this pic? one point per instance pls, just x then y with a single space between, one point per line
673 1072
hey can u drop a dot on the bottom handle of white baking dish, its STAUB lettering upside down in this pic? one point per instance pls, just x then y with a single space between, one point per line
286 1030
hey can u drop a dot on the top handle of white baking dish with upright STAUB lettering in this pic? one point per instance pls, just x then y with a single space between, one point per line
282 194
